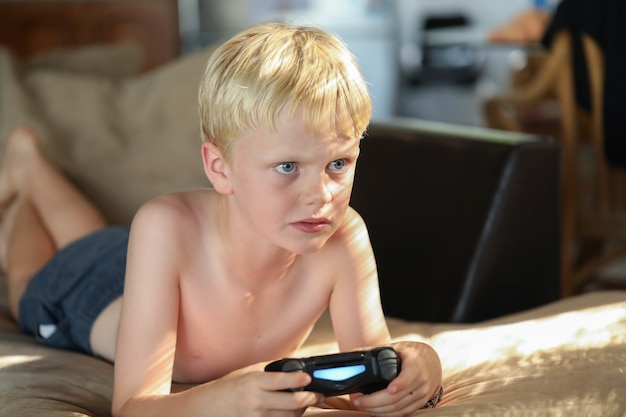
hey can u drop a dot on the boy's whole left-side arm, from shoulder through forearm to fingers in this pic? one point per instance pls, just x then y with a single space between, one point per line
146 340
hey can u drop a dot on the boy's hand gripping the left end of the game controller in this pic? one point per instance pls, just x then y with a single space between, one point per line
258 393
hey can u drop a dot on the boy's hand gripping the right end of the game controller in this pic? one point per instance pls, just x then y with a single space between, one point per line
418 382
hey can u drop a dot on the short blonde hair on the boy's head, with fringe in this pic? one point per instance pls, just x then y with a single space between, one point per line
253 76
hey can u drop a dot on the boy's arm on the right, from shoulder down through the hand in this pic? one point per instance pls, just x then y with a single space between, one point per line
358 321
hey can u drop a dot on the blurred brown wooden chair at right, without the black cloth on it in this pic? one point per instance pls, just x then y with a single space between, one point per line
593 194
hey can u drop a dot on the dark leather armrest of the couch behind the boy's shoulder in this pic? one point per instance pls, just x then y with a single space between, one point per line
463 221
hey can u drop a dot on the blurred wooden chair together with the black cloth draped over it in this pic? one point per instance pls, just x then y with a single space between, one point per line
575 92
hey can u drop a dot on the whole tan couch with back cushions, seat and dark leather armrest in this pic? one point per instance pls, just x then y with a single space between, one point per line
463 224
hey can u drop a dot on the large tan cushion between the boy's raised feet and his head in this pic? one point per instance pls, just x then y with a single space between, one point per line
122 140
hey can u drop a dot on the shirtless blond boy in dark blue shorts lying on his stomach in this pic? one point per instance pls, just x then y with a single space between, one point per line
218 282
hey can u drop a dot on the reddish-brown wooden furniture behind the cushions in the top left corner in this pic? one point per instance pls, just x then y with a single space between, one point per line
30 26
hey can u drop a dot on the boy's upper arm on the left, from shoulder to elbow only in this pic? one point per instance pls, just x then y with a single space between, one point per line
146 339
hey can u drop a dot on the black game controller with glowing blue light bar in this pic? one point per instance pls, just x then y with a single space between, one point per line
364 371
